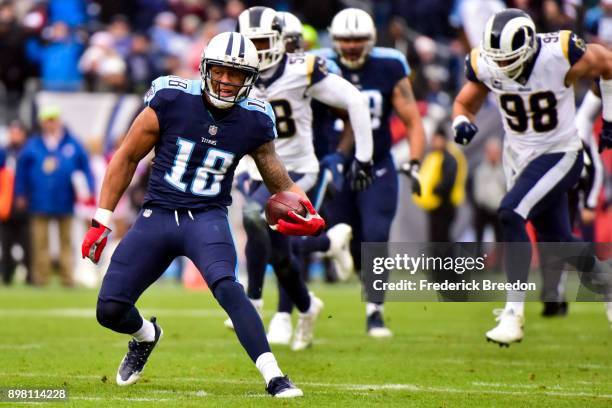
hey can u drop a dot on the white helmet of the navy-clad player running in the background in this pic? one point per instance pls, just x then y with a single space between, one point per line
353 23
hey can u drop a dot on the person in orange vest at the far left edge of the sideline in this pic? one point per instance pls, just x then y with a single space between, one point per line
14 222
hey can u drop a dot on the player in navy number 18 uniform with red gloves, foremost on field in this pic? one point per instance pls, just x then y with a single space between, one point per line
200 129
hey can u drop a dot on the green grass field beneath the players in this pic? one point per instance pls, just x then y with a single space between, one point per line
437 358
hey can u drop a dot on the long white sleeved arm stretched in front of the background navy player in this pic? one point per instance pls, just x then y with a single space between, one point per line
336 91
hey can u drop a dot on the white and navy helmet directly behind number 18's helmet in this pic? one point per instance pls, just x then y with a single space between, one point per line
258 23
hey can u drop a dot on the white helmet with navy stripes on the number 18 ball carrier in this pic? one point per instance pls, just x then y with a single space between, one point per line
229 50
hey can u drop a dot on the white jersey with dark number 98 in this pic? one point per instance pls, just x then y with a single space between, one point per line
538 114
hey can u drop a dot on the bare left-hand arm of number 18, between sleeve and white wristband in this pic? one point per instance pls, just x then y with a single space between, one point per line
140 139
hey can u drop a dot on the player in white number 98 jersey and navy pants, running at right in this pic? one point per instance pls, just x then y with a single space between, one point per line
532 76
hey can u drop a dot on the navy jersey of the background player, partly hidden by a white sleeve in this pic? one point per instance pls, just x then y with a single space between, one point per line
383 69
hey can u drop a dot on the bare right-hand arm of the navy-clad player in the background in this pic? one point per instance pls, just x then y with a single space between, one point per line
406 108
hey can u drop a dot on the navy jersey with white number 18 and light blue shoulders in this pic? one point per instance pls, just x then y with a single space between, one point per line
196 155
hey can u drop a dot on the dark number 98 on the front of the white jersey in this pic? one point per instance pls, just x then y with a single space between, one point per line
542 110
